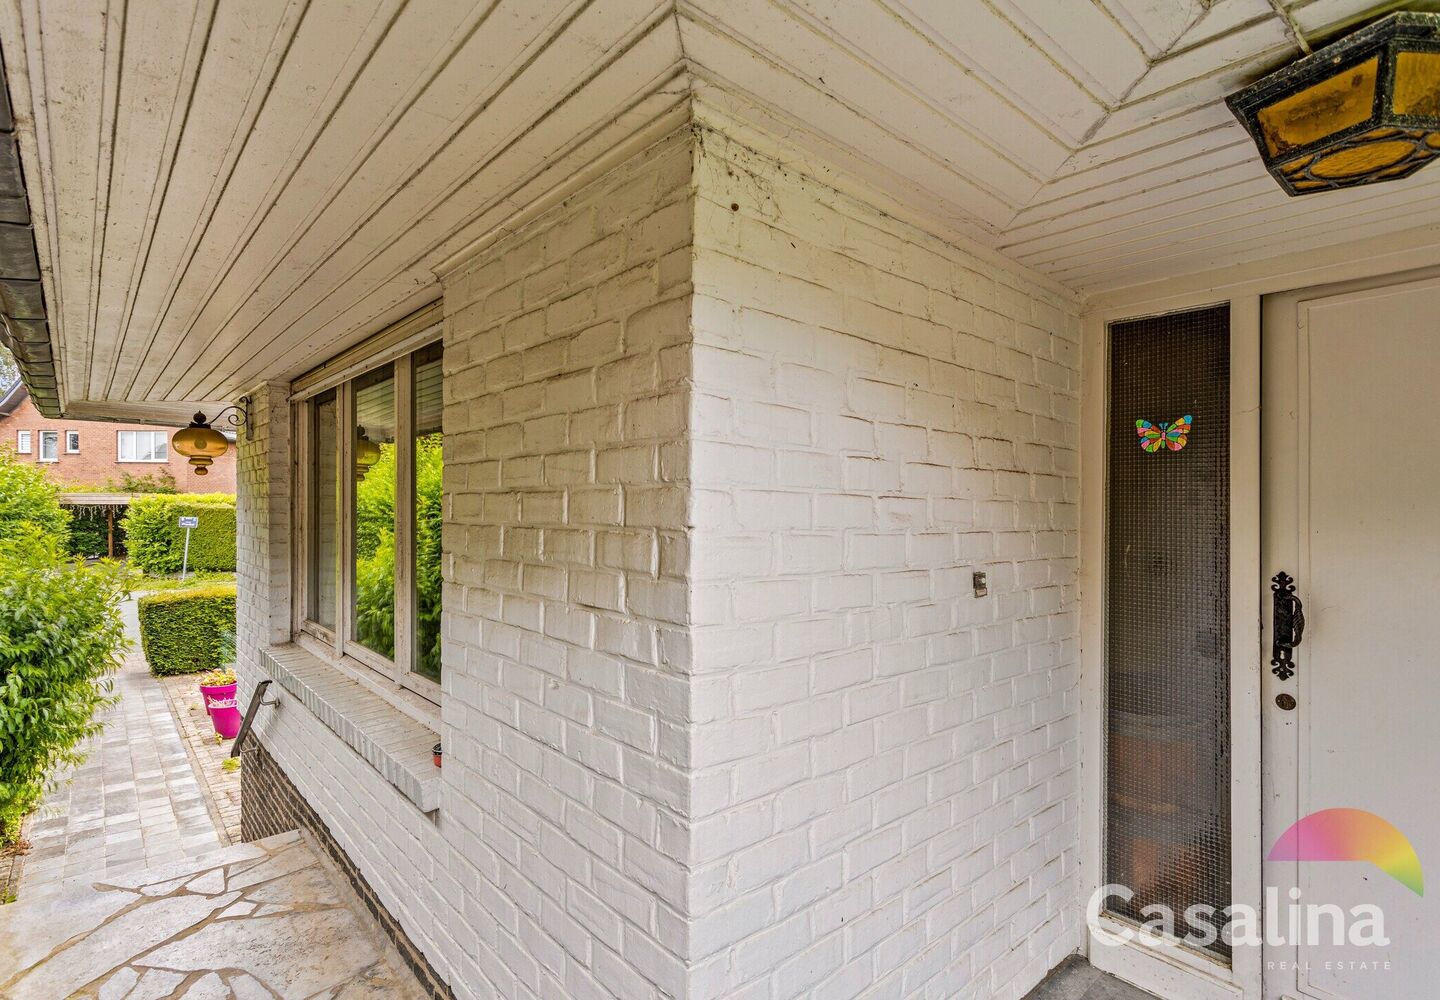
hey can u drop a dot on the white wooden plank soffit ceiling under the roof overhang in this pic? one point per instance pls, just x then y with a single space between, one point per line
225 192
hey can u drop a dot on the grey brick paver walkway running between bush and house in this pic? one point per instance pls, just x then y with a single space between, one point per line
133 803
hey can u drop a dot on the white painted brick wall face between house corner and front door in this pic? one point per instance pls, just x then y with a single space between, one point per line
885 792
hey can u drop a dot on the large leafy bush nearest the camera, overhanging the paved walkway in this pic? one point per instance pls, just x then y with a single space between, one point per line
61 636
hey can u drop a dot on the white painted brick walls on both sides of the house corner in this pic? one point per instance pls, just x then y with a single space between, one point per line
721 715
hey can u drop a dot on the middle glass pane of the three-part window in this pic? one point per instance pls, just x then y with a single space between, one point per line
374 540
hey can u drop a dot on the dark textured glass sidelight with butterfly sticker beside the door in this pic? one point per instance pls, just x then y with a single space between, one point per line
1169 619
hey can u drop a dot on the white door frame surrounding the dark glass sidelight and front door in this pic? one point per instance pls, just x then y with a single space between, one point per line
1174 972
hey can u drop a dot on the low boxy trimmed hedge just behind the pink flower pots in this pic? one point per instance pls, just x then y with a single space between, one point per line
188 632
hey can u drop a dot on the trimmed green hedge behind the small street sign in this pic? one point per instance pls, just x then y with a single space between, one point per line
156 541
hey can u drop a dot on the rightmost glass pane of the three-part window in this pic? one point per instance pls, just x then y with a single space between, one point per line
428 514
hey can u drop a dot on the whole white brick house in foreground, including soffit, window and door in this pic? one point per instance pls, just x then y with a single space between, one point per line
837 482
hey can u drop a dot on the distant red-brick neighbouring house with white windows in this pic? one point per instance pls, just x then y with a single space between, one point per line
102 453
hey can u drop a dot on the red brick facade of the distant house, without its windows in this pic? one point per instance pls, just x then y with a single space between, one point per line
97 465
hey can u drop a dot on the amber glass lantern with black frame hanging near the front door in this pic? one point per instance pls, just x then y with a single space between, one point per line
1363 110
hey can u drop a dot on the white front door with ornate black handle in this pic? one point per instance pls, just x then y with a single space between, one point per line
1351 511
